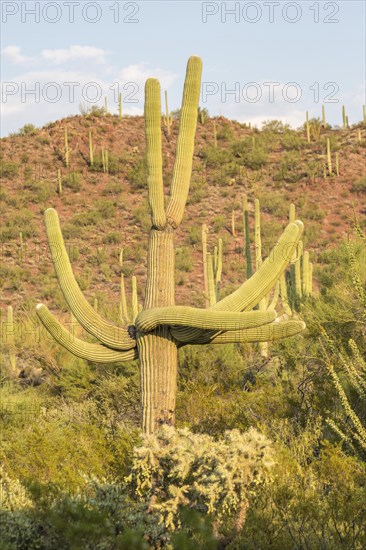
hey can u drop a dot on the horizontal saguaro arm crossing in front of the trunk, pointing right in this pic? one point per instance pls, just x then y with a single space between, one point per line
207 319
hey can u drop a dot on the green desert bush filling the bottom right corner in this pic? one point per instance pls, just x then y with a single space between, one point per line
314 499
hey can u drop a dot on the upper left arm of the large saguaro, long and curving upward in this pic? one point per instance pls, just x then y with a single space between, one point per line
109 334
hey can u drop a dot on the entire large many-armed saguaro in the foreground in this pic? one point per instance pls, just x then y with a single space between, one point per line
162 327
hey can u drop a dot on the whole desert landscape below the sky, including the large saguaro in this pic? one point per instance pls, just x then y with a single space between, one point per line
124 424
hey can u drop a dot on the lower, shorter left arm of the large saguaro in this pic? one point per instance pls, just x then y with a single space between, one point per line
85 350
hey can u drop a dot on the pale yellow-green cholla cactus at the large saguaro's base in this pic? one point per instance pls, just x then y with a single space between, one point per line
203 473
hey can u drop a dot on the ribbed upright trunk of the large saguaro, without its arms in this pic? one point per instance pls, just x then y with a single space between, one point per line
158 349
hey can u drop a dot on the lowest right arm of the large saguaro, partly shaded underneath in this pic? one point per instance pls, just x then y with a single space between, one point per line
266 333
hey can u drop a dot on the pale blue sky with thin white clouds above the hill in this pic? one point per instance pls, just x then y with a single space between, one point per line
262 60
